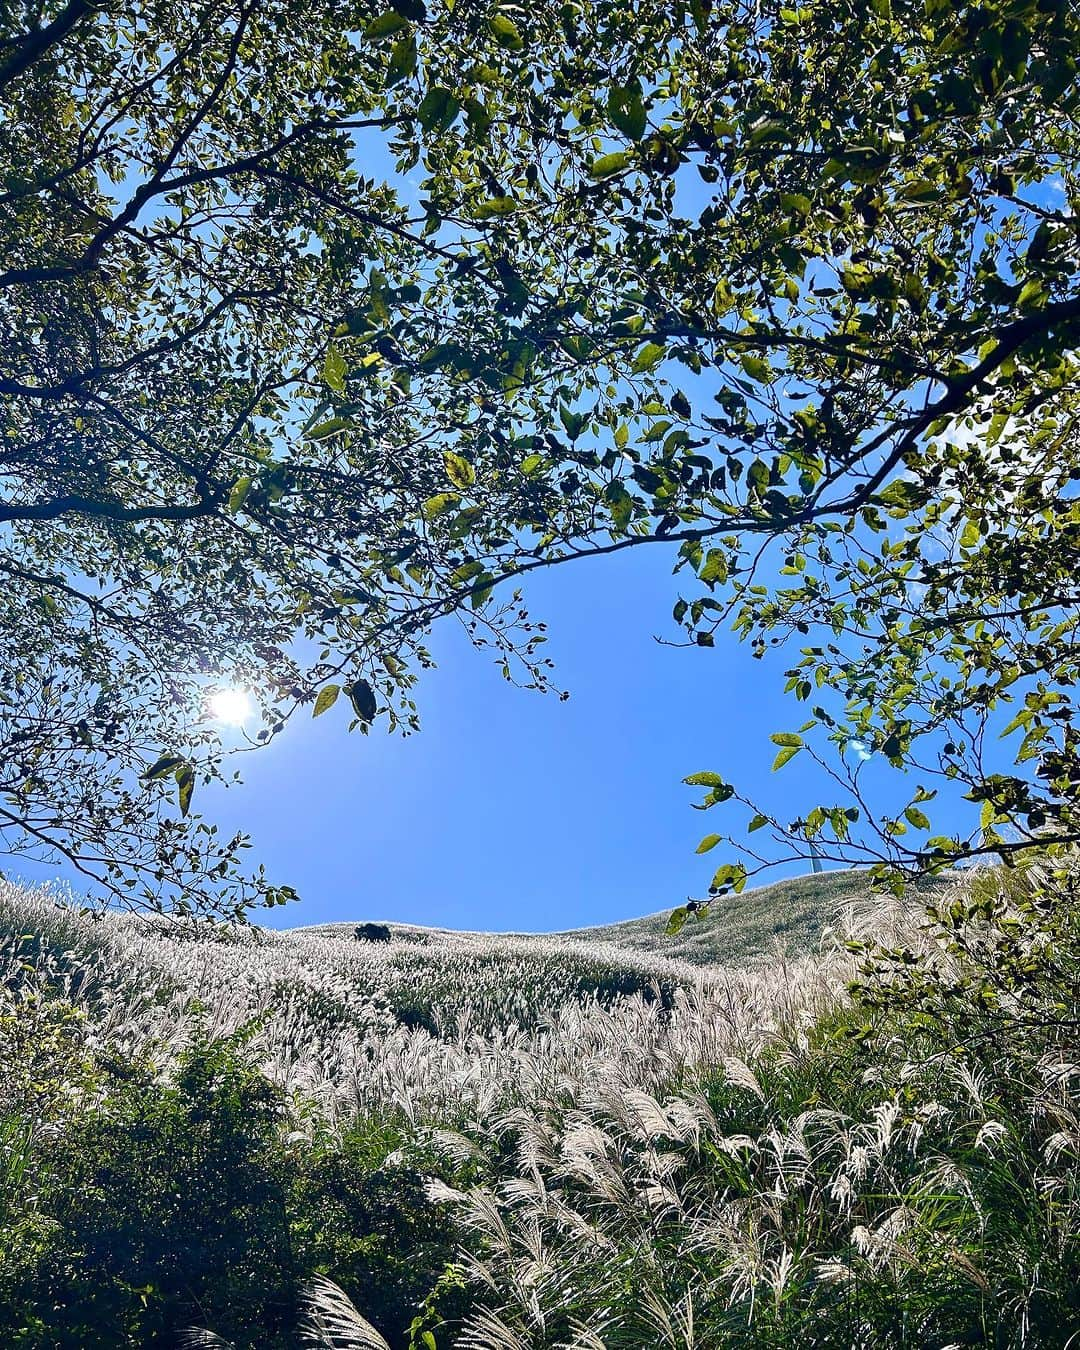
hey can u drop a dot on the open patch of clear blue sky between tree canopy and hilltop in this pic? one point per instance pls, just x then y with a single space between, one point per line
512 809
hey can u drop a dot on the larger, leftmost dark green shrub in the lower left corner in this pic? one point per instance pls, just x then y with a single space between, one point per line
167 1202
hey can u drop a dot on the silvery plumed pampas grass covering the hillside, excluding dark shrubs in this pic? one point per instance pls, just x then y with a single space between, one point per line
739 1164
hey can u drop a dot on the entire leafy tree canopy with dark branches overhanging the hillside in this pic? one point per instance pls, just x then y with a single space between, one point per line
323 323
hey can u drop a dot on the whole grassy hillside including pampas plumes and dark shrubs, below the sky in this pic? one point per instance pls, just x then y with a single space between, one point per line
605 1140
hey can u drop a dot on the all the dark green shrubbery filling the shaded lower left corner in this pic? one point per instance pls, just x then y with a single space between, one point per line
178 1205
